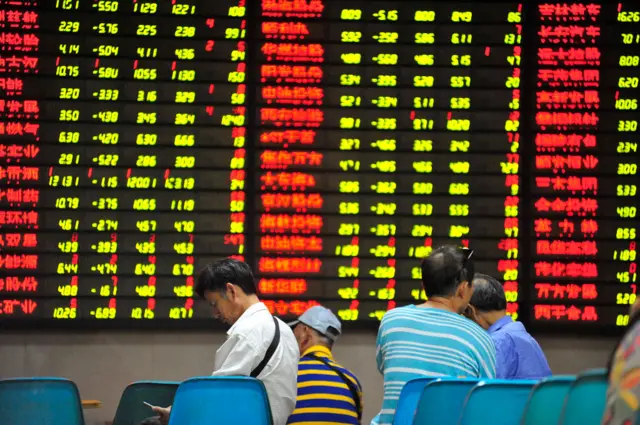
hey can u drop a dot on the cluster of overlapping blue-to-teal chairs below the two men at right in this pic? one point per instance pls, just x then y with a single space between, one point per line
558 400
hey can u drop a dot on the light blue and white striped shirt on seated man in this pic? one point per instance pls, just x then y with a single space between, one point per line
415 342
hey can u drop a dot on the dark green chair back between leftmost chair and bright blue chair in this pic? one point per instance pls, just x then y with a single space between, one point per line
132 410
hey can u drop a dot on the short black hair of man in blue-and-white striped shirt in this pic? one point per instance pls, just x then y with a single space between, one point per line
442 271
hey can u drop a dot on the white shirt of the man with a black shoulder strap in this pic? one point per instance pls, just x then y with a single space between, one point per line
246 345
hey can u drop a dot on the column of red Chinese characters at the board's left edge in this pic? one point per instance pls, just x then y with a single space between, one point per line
19 115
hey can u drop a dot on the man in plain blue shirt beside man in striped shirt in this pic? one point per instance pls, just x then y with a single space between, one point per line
518 355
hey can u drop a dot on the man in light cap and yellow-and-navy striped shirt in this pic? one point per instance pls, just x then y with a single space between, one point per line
327 392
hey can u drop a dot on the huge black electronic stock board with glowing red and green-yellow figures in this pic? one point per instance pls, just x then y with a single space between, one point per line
331 144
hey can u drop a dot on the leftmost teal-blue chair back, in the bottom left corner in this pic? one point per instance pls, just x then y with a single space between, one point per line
41 401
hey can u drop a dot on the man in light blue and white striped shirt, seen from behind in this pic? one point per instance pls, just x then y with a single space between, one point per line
433 339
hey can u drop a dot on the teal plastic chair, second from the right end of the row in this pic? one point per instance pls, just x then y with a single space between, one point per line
545 404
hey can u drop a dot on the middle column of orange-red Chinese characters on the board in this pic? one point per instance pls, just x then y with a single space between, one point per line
290 227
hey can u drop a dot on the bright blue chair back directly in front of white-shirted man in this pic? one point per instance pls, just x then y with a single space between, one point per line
214 400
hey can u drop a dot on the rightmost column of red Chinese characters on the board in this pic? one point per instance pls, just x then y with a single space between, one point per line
565 185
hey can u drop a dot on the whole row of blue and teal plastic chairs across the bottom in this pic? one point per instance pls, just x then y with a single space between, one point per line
559 400
